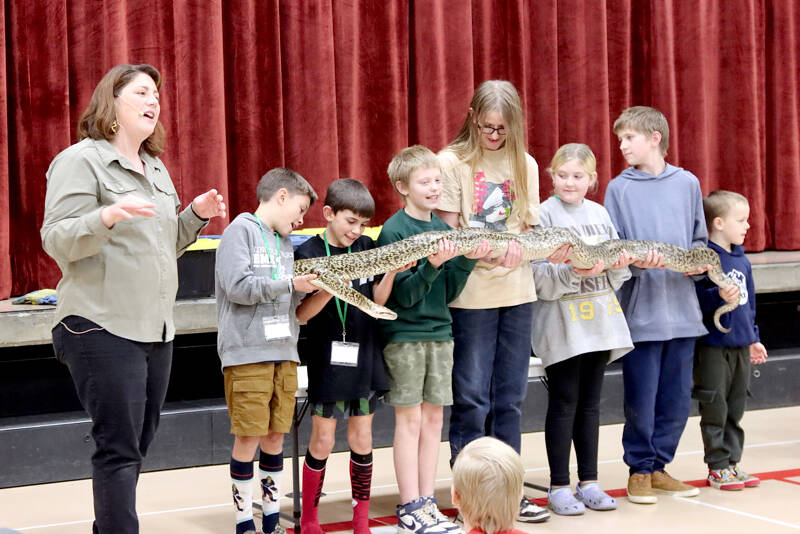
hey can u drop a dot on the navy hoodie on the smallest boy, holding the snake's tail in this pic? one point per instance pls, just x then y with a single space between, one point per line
741 321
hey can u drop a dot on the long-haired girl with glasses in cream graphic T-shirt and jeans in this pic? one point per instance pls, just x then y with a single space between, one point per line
490 181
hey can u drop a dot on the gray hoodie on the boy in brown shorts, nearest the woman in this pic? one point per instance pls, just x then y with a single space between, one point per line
250 288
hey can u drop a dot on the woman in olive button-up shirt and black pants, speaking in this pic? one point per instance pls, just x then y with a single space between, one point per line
113 225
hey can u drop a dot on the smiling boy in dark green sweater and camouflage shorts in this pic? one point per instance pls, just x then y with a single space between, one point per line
419 343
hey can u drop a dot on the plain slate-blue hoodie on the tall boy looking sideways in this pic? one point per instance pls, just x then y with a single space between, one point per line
659 304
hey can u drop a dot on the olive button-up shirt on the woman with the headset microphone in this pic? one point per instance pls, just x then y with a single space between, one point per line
123 278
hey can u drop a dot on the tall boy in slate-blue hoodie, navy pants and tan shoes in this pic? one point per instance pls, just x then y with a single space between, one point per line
656 201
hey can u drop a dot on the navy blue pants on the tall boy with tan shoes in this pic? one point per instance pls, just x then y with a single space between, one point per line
658 387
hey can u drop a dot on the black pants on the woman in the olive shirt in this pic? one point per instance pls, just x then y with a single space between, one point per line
122 385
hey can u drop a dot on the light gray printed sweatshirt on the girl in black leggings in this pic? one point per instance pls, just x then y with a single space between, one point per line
577 314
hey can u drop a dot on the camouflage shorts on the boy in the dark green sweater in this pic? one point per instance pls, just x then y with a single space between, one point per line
420 371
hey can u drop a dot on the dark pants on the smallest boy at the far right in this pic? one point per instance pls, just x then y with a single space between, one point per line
720 385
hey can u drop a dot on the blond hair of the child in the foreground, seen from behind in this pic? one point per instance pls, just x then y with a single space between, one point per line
487 479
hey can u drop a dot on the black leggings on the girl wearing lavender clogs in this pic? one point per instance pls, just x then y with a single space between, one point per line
573 415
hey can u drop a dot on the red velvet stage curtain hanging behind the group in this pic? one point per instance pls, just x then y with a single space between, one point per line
333 88
